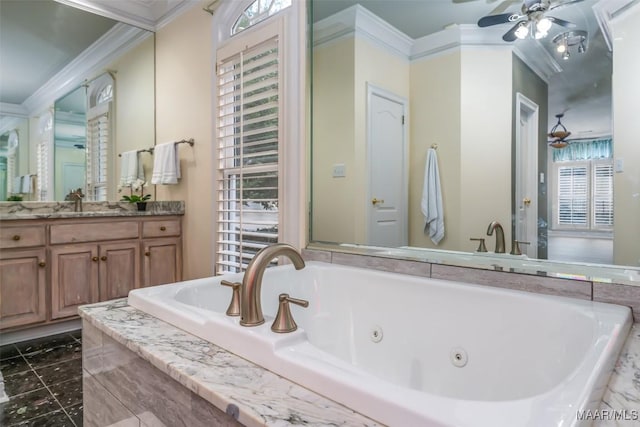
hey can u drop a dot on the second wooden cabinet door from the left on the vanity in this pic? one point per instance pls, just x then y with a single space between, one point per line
74 278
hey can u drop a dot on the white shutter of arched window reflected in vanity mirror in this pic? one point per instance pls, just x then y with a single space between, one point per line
97 152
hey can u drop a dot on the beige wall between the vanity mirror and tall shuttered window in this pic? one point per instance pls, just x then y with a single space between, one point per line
184 73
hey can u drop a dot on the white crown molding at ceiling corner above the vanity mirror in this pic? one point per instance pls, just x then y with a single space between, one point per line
150 15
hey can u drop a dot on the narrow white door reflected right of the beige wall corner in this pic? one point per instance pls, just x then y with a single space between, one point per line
526 202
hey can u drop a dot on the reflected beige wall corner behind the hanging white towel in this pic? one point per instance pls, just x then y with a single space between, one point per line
473 138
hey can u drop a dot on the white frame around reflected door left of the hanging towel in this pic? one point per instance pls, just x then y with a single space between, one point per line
373 90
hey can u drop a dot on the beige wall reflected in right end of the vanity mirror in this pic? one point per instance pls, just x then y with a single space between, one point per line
134 111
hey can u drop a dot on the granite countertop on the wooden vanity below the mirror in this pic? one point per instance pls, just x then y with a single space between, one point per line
46 210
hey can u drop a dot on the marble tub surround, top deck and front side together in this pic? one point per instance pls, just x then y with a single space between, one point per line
114 331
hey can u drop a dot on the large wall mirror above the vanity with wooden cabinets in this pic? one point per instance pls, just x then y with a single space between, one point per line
61 63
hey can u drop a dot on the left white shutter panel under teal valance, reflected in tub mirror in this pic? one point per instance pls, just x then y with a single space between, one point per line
573 195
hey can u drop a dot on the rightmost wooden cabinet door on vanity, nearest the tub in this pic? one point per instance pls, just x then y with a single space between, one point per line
162 261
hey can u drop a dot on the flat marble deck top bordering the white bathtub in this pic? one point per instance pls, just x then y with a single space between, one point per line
223 378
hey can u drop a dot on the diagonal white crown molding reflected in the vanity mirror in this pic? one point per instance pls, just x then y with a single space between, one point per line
92 61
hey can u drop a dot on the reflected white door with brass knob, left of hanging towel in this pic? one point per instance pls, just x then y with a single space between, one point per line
387 201
